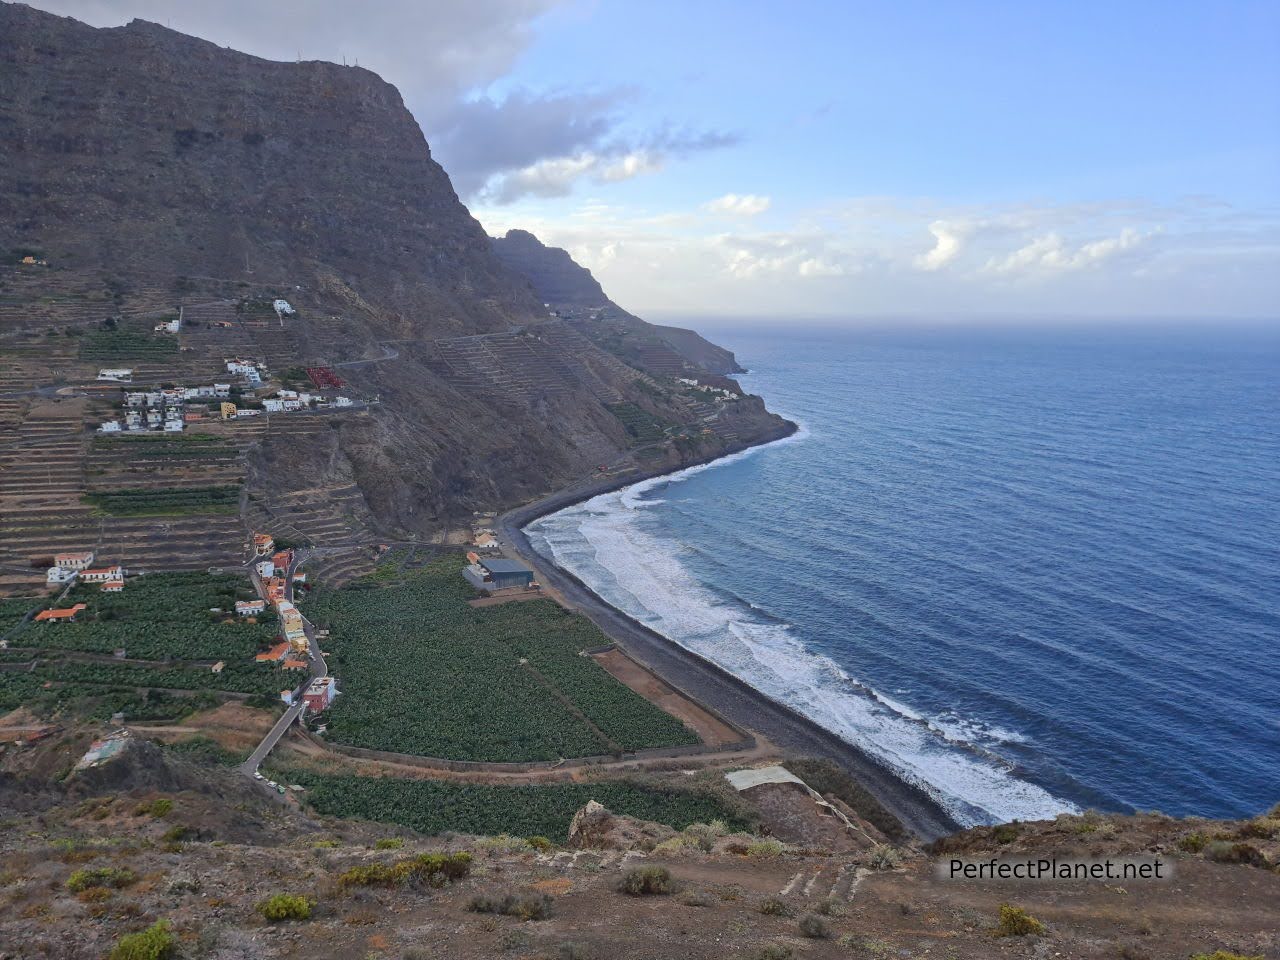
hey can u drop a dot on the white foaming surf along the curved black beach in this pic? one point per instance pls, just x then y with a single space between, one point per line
606 543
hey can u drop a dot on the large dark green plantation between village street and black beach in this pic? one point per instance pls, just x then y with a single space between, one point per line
426 674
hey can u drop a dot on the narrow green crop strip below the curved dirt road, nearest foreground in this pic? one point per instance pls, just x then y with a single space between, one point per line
435 807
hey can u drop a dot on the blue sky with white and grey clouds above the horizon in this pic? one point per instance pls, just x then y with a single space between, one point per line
851 159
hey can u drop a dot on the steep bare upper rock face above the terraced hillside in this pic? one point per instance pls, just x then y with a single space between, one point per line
156 156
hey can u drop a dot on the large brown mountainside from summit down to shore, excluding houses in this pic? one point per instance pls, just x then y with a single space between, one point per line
148 171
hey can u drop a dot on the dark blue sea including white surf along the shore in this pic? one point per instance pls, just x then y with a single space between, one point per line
1032 570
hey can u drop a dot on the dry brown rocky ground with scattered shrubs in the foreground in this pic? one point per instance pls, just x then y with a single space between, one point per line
217 867
